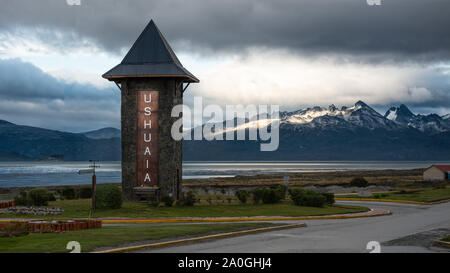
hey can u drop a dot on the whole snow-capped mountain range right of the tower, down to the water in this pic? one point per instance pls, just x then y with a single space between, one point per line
357 132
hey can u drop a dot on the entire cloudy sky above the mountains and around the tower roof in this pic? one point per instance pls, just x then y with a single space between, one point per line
295 53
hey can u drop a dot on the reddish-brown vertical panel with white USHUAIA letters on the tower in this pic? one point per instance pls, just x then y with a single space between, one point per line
147 138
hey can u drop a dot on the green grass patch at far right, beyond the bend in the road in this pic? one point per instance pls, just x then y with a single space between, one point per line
428 195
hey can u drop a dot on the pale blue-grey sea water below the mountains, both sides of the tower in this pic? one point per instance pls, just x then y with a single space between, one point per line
28 174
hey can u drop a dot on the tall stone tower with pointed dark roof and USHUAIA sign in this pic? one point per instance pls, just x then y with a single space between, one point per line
151 79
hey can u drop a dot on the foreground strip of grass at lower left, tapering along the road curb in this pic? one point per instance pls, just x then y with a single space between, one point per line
111 236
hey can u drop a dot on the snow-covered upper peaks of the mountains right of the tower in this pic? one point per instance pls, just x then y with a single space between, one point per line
360 115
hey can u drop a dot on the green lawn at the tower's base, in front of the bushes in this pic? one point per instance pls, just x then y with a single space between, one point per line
81 207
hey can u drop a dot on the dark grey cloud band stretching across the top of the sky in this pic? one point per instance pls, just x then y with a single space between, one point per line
403 29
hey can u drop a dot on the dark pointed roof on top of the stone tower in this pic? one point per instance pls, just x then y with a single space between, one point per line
150 56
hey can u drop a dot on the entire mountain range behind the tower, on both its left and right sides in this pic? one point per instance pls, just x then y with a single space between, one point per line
349 133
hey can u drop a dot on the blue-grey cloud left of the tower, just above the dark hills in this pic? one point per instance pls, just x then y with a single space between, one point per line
31 97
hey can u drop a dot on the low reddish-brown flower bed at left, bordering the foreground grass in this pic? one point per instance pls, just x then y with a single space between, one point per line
62 225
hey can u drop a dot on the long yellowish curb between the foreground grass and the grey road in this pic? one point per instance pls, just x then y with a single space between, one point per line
202 238
